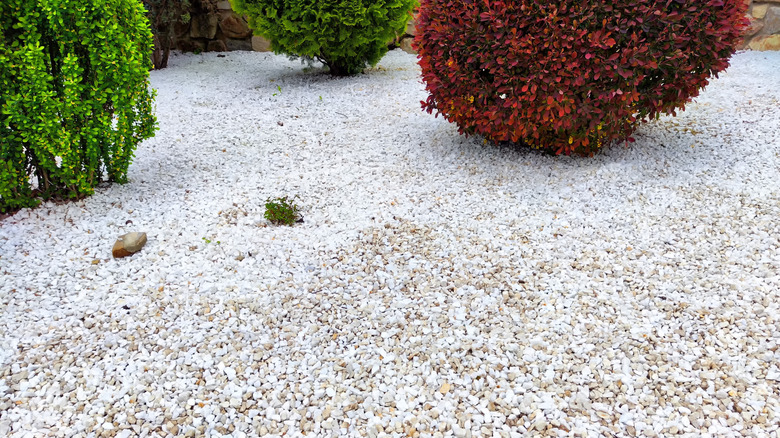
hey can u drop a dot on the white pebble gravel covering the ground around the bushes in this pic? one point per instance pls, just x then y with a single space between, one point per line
437 287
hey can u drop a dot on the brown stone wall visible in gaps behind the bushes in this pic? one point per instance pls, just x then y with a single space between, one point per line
224 30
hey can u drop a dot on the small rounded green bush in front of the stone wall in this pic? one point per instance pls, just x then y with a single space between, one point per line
345 35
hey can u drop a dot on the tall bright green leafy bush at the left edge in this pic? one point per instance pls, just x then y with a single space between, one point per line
74 95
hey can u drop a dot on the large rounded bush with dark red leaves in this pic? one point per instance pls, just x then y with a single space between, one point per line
570 76
